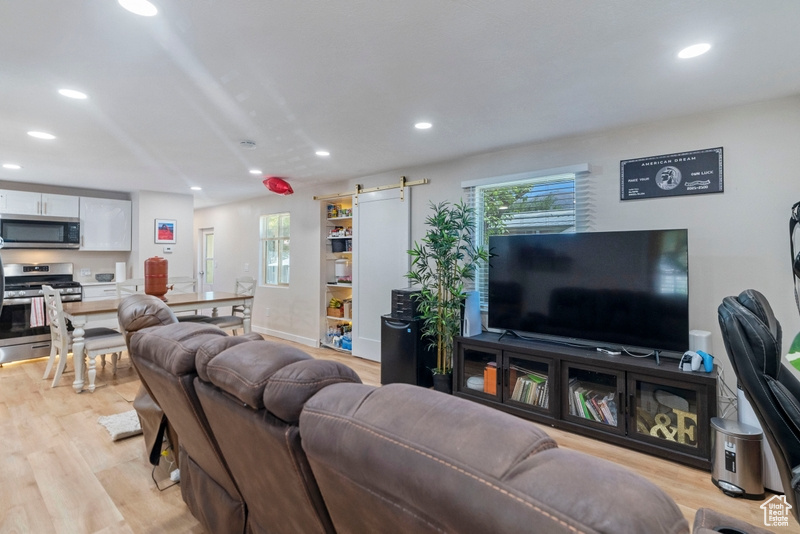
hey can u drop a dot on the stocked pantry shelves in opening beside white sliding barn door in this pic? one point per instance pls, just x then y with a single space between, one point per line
337 253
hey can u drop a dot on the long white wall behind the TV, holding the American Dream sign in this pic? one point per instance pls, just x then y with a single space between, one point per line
737 239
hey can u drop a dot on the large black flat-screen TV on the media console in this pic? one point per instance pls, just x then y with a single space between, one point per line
626 289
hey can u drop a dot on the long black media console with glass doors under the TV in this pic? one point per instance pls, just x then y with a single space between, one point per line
627 401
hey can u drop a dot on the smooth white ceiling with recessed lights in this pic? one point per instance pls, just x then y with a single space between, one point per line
171 97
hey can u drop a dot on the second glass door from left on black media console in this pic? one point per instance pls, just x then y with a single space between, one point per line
529 383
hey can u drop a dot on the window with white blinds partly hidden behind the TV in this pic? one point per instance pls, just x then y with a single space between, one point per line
536 203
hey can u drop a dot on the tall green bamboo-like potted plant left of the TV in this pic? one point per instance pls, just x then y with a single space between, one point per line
440 265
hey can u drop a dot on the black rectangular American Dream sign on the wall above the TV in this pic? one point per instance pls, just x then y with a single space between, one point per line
687 173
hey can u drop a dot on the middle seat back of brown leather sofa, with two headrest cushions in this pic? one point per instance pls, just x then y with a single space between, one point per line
253 396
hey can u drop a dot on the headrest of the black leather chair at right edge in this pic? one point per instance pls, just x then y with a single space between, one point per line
750 329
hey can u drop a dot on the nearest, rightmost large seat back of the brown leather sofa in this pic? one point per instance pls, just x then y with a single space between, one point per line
412 459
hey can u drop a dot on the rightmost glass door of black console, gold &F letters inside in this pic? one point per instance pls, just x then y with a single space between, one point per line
667 413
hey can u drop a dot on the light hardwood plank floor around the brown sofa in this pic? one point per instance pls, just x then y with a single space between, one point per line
60 471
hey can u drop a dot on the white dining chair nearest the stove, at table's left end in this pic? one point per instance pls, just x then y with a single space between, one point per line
98 341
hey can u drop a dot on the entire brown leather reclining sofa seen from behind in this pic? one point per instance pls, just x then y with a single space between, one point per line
272 440
